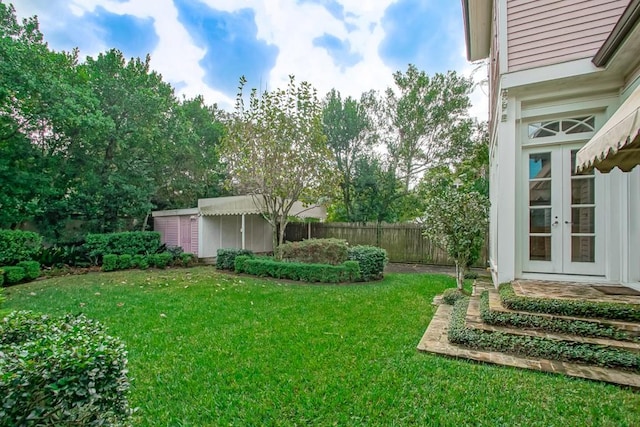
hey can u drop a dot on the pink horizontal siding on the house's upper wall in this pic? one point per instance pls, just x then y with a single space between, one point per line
546 32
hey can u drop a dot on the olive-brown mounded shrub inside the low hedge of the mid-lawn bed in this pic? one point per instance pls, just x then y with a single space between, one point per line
315 251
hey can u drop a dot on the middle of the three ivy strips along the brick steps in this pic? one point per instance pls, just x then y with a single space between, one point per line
550 324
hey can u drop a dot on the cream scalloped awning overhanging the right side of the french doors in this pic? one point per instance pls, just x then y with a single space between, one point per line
617 143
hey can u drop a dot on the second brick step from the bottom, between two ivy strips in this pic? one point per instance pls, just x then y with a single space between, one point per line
474 320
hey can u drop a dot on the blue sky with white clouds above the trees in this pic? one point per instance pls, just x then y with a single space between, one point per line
204 46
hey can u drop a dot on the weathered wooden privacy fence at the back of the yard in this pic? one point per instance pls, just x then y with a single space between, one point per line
403 242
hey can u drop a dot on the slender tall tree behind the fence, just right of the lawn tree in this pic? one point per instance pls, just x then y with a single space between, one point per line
347 126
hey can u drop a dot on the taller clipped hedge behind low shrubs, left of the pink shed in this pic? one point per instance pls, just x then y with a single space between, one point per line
131 243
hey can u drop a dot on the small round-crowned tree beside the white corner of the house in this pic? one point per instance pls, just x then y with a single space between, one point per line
456 220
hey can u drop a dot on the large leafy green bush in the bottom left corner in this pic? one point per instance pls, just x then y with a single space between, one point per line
61 371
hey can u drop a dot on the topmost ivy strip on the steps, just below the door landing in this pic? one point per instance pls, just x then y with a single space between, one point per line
605 310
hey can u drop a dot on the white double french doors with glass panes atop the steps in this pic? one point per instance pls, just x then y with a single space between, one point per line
562 215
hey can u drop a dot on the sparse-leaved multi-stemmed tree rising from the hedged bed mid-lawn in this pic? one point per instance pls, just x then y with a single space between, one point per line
276 151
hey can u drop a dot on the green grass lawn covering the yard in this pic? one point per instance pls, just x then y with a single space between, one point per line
208 349
